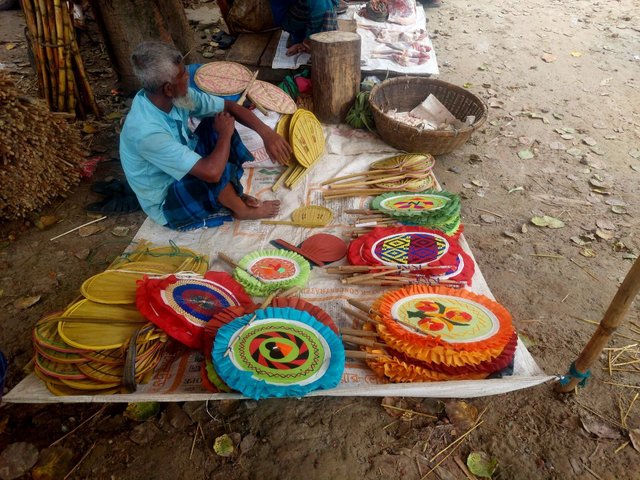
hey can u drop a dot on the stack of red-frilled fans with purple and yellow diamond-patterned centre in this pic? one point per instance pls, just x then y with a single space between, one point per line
425 255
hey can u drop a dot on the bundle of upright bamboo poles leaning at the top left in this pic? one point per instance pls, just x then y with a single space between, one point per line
62 79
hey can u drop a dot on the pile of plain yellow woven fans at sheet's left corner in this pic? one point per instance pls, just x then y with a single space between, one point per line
101 344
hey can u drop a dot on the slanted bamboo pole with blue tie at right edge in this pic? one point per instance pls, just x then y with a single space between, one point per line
608 325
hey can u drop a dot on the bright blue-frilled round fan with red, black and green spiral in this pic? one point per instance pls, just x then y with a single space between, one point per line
283 352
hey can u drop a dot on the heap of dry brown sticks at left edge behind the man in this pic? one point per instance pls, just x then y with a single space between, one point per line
40 153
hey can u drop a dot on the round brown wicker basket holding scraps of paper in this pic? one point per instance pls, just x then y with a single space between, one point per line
405 93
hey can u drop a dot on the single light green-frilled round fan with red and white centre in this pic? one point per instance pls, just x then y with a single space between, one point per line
271 270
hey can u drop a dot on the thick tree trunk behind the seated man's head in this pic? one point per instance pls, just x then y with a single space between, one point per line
126 23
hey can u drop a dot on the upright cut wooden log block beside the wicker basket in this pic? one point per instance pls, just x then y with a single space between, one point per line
335 73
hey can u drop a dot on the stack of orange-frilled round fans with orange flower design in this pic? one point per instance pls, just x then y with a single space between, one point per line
437 333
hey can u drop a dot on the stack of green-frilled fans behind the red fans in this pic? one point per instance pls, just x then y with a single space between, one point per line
431 209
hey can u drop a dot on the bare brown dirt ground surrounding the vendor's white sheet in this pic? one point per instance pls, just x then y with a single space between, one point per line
561 79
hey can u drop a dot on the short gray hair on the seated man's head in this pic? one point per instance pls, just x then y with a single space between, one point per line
156 63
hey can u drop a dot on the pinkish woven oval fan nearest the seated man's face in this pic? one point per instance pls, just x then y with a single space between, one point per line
222 78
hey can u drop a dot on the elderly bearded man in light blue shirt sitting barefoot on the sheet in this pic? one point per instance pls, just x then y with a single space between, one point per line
186 179
